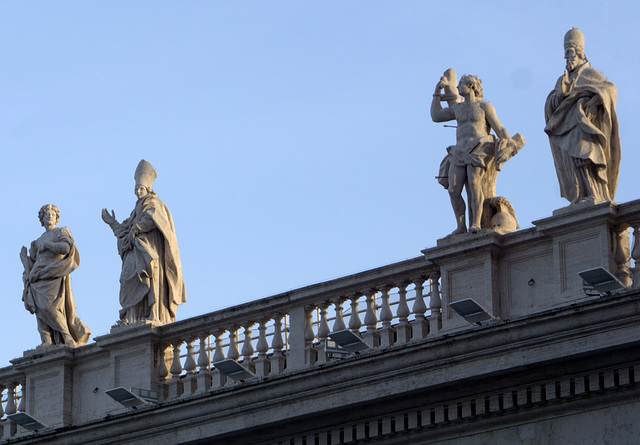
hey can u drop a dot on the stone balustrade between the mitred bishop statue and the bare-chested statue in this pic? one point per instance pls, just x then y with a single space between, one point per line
388 306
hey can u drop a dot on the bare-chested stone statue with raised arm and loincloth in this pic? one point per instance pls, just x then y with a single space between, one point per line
477 157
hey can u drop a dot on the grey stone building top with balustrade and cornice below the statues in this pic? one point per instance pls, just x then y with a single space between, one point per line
555 365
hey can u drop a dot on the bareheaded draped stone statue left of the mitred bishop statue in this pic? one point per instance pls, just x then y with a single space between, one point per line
47 284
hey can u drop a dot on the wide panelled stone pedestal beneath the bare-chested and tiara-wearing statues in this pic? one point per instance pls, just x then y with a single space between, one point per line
531 270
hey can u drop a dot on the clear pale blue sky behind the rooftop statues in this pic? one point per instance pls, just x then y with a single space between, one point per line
292 139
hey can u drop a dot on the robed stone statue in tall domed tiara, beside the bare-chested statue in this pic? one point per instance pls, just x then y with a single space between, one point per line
581 121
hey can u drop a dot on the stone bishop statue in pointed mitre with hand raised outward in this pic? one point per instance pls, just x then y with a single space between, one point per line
151 284
